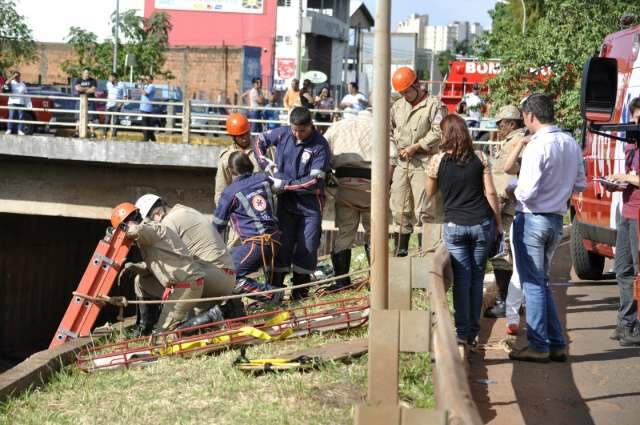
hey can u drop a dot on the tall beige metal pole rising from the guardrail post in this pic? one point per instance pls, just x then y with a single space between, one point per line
380 163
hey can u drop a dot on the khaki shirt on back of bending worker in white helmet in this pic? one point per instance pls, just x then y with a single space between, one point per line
199 235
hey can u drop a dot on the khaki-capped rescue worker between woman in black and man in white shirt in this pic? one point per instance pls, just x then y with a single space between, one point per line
511 130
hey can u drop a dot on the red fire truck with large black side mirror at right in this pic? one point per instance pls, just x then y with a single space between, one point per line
610 81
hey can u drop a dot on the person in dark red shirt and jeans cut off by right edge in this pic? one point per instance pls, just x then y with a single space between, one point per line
627 329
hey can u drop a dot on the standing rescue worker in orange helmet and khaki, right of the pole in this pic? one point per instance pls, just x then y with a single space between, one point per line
415 128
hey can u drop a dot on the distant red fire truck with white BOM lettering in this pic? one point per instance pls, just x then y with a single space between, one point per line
463 74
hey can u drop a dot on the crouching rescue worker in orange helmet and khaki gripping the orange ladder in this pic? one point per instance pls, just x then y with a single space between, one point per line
168 270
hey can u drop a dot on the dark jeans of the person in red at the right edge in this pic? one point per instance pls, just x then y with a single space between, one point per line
626 267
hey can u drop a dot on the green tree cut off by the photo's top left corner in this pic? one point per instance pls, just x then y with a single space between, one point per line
16 39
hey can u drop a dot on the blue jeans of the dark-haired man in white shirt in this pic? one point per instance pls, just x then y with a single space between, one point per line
535 238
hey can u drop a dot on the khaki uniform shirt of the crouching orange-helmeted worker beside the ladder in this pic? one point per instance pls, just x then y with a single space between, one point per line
164 253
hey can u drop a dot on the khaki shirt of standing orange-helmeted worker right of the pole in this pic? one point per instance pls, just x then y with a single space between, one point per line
416 124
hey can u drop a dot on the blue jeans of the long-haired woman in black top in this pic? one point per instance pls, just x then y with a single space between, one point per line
469 247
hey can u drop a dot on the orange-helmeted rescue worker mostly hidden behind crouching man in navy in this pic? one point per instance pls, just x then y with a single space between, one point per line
239 129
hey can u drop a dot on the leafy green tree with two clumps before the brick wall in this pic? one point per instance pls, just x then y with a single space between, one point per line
146 38
